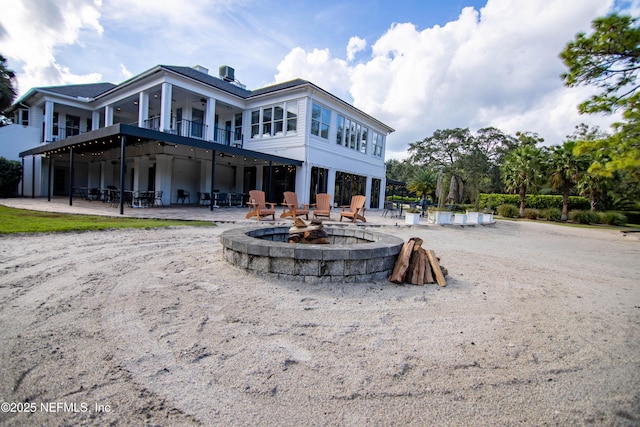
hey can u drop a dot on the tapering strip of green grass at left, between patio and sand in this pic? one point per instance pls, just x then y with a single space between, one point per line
25 221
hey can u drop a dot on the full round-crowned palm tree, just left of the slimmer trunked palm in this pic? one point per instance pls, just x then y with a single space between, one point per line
521 171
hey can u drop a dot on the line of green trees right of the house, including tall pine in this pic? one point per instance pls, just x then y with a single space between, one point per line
453 166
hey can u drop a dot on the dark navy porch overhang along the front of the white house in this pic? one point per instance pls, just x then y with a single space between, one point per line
110 138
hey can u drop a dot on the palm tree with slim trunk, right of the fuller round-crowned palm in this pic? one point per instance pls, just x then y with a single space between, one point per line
566 170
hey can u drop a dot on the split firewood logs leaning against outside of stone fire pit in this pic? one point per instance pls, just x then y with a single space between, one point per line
418 266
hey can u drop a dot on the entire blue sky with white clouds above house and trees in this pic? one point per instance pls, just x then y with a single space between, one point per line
418 66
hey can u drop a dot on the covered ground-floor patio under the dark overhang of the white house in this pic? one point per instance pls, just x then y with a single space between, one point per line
132 160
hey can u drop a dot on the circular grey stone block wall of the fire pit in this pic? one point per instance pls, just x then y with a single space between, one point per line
352 255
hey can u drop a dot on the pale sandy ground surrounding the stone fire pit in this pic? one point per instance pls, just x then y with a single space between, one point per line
539 325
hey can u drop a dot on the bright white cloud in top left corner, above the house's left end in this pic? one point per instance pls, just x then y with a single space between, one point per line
34 29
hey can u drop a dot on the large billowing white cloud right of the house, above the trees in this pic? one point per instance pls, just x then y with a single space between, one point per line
498 66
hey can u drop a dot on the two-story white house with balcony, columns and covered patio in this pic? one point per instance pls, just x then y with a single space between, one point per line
179 128
